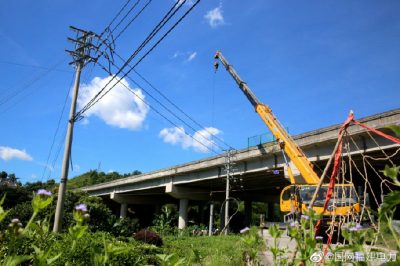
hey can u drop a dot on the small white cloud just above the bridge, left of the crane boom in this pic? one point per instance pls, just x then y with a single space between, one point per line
201 141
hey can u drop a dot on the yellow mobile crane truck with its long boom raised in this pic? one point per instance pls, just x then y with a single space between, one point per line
302 187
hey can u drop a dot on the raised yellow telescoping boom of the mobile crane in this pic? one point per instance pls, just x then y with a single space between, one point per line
286 142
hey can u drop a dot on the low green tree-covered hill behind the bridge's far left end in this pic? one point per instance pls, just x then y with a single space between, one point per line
93 177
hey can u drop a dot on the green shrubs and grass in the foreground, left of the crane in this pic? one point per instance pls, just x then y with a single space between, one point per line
35 244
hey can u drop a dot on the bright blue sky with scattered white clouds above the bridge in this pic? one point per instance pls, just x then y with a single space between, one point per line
311 61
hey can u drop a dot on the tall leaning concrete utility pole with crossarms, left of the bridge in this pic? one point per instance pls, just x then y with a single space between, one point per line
81 56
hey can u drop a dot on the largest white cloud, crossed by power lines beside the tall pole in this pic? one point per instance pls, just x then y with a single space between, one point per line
119 108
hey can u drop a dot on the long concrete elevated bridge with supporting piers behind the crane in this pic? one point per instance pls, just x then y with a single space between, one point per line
259 172
